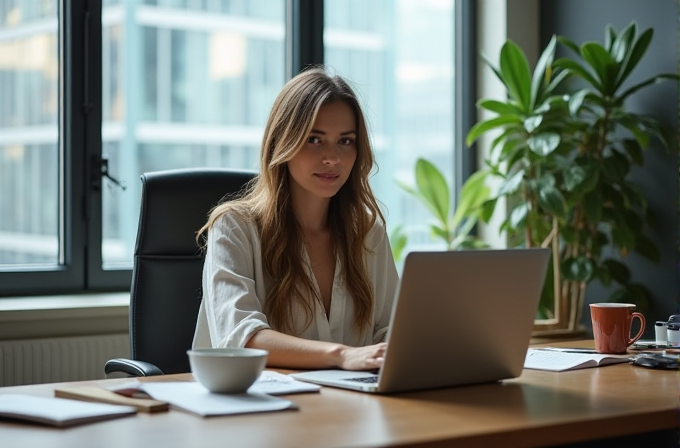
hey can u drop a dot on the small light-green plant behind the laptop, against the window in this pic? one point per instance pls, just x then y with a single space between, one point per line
433 191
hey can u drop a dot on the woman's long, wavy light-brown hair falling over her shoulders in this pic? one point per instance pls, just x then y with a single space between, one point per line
352 214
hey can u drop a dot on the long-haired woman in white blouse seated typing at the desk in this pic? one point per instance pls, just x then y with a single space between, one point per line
301 266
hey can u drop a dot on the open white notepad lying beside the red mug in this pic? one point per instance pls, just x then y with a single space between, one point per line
558 361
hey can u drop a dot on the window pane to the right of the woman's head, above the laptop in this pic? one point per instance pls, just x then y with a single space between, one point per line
400 56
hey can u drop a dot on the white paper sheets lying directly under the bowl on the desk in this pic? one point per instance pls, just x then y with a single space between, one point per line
193 397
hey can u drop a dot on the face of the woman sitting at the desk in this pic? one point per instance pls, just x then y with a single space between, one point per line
324 162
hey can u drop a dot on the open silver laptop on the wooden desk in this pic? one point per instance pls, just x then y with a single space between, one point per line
460 317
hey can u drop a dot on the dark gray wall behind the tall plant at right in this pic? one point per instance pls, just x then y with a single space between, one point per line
584 20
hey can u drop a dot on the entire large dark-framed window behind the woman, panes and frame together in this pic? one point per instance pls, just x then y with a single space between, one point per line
95 93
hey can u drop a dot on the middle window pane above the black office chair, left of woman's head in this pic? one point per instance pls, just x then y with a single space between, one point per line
186 84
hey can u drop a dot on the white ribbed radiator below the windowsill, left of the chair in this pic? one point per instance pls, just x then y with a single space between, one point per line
79 358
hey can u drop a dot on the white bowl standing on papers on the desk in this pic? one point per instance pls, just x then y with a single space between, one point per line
227 370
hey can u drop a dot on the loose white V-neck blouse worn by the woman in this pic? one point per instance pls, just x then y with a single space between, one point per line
235 291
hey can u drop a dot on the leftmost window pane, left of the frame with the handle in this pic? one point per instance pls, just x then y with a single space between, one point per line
29 150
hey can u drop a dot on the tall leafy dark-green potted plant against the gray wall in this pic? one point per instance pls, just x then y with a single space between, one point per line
564 148
